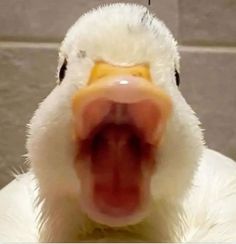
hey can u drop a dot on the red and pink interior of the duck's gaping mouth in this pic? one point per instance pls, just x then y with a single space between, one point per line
119 154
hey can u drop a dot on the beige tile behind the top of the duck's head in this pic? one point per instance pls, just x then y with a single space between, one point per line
48 20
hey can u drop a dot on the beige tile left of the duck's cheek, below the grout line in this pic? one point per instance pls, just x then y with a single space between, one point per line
27 75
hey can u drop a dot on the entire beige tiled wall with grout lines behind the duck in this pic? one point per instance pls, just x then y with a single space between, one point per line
30 32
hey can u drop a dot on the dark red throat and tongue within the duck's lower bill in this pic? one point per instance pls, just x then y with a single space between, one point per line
116 174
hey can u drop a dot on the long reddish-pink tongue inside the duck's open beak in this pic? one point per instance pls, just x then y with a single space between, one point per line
116 169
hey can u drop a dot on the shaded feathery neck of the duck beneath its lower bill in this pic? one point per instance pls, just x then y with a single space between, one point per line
63 221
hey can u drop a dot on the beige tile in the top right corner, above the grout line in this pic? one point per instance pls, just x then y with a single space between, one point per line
207 22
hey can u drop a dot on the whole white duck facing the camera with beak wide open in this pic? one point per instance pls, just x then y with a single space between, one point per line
116 153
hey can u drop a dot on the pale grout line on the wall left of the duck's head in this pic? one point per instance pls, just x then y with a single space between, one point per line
13 44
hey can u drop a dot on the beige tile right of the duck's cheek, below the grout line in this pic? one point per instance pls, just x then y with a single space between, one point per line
208 81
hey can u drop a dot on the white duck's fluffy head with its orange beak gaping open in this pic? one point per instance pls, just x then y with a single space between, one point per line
115 135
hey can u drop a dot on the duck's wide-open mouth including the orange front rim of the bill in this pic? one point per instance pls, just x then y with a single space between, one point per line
119 123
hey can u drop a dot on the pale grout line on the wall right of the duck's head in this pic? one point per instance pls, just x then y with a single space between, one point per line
211 49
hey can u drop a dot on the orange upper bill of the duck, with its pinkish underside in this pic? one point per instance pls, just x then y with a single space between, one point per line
131 91
